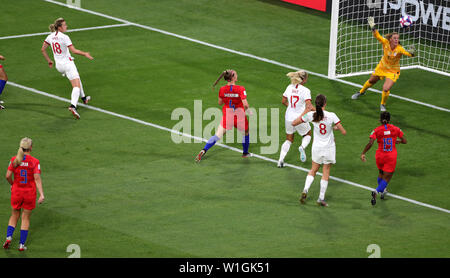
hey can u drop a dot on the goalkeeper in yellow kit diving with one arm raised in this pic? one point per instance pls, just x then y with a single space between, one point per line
389 66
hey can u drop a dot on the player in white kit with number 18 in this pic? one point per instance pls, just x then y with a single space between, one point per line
60 44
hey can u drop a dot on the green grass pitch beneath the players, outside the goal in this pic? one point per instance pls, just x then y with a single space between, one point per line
118 188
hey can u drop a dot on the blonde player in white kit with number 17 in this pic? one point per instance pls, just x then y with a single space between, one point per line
297 99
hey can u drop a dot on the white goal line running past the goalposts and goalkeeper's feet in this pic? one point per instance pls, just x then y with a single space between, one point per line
243 54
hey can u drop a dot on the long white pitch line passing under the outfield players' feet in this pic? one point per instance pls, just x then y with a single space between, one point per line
218 144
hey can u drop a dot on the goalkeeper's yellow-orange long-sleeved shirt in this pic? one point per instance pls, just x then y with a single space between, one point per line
391 58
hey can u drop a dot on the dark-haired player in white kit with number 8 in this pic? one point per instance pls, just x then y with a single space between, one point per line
323 148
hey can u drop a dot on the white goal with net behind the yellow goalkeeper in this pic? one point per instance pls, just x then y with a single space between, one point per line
354 50
